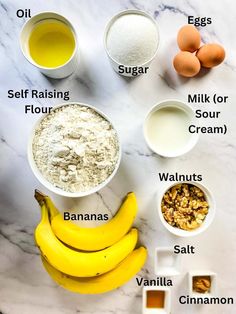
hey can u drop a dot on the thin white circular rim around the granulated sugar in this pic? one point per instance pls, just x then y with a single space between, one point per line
111 22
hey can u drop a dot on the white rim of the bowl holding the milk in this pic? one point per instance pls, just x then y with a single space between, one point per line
182 106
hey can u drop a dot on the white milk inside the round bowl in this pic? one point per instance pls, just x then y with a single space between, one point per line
167 130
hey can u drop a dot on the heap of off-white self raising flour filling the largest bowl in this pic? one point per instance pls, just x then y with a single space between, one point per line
75 148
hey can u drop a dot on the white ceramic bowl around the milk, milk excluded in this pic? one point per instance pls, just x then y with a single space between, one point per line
171 103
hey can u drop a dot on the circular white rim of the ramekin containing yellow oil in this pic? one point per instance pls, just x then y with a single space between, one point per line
28 57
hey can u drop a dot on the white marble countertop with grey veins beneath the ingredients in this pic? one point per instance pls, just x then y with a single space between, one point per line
25 287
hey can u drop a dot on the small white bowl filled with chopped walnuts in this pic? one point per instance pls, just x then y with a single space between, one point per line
186 209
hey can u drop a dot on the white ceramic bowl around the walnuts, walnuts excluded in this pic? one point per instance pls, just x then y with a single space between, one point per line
207 221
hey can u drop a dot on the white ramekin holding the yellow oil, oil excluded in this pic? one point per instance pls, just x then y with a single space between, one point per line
61 71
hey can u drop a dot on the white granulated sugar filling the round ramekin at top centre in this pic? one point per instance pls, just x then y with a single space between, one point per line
132 39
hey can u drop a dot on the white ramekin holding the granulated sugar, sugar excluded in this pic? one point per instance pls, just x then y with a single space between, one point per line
115 64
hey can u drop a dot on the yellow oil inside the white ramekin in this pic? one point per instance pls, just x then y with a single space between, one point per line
51 43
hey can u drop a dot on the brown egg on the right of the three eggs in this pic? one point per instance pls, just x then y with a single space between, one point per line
211 55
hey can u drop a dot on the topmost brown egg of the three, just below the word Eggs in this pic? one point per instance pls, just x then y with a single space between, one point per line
189 38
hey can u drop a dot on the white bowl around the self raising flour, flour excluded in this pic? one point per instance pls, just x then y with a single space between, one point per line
49 185
